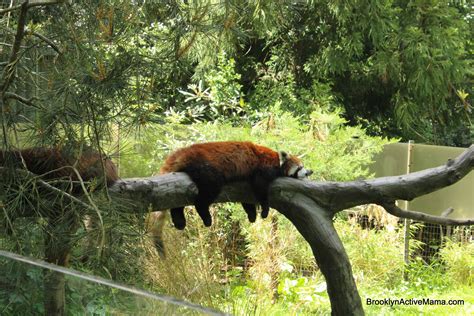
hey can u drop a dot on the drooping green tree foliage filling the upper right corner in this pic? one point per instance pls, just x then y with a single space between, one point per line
394 64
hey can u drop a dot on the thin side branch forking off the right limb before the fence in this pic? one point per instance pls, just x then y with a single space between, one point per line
442 220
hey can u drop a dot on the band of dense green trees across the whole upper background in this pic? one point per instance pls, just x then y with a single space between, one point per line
399 68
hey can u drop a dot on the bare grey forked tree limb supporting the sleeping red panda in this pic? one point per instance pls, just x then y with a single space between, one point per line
311 205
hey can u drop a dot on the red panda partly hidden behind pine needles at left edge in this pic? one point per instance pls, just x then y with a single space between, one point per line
56 163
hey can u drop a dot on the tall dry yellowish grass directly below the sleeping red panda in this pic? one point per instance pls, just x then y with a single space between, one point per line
193 264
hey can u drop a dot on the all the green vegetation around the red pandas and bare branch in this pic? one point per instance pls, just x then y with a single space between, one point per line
330 81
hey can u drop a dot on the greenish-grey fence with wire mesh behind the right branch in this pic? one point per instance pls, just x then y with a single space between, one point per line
403 158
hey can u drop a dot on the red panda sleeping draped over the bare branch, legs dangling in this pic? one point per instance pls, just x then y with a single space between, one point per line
212 165
